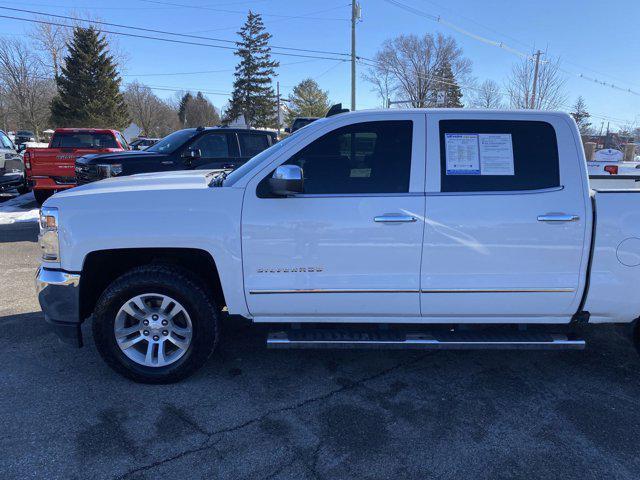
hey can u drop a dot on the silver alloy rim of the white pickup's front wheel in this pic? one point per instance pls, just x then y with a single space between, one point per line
153 330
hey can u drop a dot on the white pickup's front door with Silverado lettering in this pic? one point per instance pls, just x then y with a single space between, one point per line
350 245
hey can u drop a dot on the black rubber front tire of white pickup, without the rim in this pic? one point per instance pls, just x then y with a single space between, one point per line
167 280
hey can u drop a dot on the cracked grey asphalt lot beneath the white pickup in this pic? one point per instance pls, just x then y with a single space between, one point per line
255 413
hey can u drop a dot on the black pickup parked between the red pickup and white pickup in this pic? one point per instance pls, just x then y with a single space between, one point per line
191 148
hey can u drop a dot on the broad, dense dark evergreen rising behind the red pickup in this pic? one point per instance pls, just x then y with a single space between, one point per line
89 85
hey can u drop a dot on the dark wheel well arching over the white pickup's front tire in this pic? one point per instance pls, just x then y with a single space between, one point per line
103 267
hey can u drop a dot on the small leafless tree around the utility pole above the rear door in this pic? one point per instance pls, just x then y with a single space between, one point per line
550 86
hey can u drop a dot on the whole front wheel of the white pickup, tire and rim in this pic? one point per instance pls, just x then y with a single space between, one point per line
155 324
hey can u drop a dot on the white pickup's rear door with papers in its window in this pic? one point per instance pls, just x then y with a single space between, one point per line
506 219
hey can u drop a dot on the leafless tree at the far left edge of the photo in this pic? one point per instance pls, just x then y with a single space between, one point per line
27 88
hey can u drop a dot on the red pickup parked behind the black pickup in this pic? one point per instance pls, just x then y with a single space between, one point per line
52 169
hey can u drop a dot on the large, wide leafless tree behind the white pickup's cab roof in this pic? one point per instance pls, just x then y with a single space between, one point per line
407 66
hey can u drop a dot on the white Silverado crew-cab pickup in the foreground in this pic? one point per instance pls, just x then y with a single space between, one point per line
395 228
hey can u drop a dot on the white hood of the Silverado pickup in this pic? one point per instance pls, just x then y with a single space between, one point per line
175 180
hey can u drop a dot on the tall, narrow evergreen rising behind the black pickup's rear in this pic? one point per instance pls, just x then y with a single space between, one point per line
253 95
